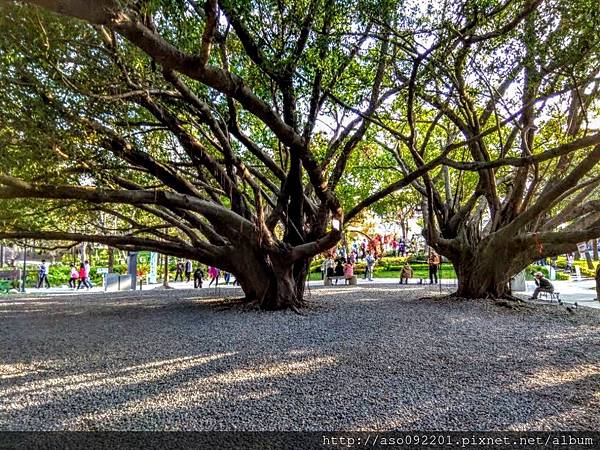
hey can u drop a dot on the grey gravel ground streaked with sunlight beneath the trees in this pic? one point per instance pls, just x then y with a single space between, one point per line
379 358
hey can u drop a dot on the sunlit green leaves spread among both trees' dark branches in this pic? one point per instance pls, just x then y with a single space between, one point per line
71 93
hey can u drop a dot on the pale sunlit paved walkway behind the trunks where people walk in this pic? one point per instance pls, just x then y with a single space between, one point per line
582 292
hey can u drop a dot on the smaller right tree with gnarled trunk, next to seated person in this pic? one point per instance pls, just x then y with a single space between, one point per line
507 93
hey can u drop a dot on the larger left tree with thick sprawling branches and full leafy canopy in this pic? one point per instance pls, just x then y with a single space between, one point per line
216 131
